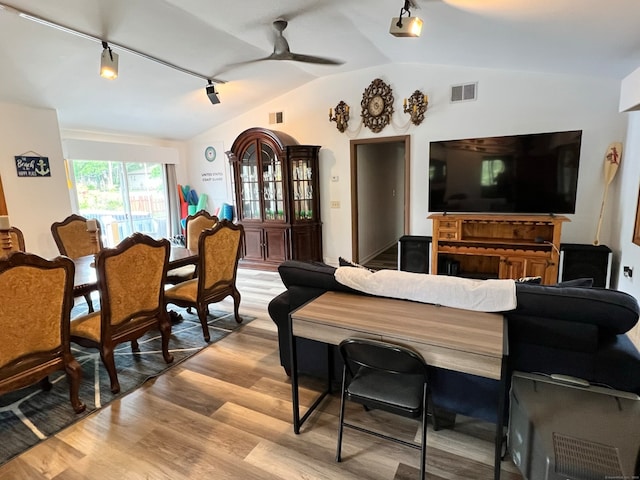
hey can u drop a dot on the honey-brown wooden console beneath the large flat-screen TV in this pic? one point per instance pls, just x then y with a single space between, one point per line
497 246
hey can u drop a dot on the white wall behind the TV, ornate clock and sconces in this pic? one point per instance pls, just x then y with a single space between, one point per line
508 103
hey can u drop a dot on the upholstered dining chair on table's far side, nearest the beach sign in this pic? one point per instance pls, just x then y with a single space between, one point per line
75 240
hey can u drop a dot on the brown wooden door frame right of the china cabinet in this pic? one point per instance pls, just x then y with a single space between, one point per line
354 184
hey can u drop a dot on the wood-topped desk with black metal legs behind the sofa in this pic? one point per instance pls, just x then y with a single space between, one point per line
450 338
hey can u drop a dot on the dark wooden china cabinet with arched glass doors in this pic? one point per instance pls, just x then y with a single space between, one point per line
276 198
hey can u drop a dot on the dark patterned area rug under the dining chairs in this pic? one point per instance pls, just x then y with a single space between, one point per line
30 415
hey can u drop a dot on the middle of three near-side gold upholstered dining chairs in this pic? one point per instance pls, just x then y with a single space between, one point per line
131 285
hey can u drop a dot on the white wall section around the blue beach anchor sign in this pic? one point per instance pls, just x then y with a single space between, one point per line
33 203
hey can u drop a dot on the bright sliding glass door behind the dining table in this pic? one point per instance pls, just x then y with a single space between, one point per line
124 197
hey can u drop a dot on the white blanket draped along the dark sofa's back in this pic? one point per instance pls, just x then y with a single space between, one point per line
456 292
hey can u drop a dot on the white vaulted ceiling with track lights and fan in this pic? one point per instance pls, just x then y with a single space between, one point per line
45 67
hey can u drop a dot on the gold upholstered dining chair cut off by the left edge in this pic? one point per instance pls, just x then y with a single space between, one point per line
36 297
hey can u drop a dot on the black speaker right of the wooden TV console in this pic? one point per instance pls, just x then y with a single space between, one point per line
585 261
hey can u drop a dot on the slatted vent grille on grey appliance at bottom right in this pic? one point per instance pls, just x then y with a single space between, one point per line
577 458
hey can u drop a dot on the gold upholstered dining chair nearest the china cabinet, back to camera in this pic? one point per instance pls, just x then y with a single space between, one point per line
219 252
